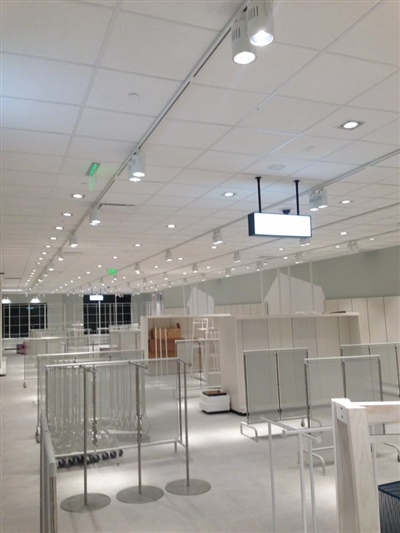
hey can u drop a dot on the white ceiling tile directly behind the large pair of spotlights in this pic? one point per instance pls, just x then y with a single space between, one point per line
274 65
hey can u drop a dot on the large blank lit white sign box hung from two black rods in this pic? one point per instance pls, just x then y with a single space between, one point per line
276 225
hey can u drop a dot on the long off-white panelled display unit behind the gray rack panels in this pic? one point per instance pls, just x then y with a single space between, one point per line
322 334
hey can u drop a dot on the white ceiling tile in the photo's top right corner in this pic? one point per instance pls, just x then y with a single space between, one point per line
375 36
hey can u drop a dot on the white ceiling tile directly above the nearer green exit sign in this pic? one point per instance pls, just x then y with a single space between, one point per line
99 149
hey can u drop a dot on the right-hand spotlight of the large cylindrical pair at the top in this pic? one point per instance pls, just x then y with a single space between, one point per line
260 26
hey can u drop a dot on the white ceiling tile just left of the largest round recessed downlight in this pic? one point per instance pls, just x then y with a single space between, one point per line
288 115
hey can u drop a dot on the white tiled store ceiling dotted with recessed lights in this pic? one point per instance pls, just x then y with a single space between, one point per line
93 82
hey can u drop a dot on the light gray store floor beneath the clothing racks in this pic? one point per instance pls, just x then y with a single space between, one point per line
236 467
